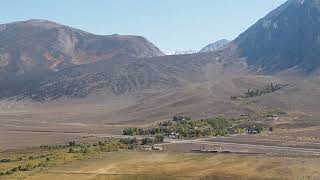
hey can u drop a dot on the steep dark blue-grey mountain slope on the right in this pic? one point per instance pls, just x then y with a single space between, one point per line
287 38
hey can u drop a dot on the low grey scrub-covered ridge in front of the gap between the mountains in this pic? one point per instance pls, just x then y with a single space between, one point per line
129 75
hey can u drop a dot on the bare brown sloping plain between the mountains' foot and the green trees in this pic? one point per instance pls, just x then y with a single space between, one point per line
26 124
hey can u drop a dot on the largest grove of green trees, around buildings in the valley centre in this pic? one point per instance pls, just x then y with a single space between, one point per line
186 128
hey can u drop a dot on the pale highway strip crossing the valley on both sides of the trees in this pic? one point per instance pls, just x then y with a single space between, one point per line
234 143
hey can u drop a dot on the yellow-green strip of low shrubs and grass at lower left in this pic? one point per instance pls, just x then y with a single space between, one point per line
47 156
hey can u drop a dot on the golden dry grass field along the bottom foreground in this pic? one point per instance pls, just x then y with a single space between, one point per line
157 165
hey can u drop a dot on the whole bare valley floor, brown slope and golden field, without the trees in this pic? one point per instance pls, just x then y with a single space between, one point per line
291 151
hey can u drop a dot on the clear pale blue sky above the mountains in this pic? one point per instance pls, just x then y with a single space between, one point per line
169 24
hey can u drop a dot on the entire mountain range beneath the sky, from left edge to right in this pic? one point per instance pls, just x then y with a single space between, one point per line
45 60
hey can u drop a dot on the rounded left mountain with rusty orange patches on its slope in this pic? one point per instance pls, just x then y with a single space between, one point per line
33 46
